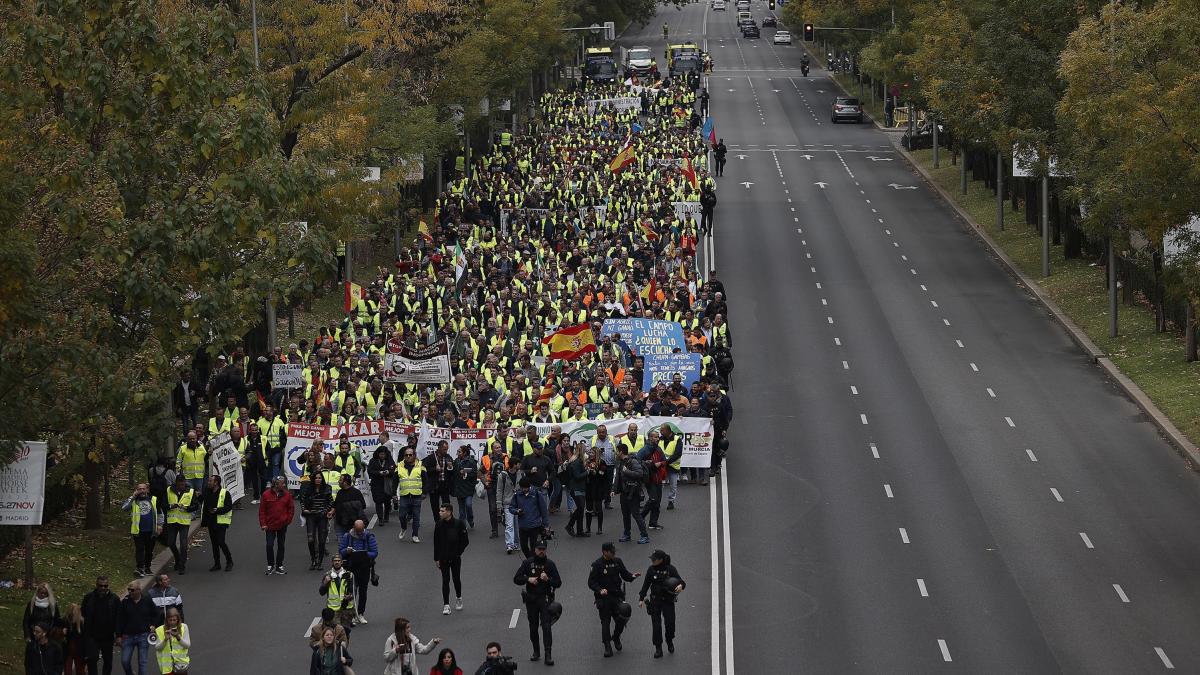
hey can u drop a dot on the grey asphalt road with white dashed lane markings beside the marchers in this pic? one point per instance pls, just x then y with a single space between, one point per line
926 475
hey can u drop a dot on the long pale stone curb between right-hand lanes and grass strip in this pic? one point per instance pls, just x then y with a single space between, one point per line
1186 450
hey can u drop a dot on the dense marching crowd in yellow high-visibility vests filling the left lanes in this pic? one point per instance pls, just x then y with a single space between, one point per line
567 226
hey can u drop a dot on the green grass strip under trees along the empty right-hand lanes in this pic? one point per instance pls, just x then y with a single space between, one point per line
1154 361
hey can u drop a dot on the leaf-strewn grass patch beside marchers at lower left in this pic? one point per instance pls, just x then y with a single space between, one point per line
69 559
